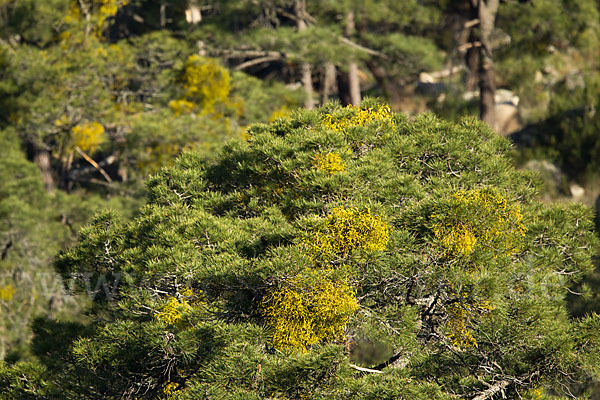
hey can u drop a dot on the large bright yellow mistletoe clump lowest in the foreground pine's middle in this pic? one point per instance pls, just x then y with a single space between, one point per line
309 309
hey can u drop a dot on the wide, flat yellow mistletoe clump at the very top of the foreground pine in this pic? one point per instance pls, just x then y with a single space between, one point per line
360 117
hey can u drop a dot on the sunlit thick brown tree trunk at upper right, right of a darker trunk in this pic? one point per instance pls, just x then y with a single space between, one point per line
487 85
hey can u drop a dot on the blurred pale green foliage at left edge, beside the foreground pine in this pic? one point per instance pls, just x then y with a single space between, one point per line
34 225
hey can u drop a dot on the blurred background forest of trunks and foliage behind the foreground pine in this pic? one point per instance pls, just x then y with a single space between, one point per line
95 95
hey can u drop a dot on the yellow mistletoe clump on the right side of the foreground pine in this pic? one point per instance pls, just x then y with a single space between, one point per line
480 217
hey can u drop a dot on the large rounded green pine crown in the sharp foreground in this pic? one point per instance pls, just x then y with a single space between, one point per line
240 228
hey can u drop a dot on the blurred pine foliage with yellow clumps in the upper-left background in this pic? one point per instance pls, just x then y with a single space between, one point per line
134 104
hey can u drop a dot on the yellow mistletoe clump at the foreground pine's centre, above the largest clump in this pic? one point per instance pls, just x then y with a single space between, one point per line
348 229
